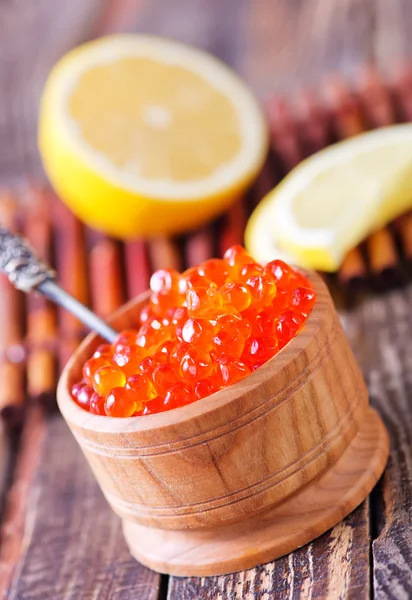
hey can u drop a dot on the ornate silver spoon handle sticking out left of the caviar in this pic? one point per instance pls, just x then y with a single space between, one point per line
28 273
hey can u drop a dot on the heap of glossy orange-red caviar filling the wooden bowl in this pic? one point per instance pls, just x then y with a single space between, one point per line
202 330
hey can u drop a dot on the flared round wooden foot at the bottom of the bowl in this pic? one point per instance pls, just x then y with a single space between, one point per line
284 528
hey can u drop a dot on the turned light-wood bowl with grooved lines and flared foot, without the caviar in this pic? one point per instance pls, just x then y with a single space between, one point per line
247 474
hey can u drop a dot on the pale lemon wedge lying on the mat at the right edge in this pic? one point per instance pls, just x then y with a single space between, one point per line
332 200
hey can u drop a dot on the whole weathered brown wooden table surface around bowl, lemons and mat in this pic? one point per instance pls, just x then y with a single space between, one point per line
54 548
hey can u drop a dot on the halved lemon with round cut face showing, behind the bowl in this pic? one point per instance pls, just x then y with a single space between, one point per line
143 136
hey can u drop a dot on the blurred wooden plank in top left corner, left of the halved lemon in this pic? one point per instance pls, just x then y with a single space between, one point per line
33 37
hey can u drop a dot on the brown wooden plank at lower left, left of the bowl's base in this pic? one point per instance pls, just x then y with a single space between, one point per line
73 545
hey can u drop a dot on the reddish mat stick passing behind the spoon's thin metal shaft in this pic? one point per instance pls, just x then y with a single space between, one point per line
71 268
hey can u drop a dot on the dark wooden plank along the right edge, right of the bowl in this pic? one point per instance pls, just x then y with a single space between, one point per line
381 330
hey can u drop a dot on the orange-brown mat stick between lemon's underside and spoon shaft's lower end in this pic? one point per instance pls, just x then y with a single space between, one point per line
106 281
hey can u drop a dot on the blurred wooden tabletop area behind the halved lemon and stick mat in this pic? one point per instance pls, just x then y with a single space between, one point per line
278 45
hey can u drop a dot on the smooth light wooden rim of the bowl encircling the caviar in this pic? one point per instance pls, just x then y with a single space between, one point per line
232 394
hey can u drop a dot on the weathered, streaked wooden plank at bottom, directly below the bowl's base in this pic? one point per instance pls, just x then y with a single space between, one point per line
328 568
